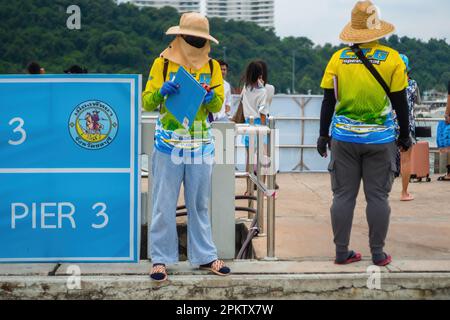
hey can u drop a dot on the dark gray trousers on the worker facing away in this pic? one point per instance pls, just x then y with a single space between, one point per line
376 166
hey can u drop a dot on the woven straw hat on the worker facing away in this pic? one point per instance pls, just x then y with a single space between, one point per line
365 25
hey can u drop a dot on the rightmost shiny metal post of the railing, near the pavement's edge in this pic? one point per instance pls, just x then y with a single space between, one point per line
271 186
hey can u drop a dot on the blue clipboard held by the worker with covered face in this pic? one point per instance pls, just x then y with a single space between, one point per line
185 104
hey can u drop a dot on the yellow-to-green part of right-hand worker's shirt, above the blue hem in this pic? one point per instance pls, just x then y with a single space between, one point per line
360 96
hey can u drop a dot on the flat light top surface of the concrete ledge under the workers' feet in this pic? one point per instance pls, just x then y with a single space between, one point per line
239 267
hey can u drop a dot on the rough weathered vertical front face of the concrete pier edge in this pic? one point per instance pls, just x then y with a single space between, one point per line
260 287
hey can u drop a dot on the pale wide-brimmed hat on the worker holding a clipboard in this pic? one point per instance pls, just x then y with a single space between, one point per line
193 24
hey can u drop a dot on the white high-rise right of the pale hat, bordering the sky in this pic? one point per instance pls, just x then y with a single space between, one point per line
260 12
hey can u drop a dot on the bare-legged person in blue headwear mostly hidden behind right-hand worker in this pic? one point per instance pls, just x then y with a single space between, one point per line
413 97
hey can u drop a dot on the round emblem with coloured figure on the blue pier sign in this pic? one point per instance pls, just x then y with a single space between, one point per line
93 125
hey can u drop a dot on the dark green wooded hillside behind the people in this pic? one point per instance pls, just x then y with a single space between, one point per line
124 39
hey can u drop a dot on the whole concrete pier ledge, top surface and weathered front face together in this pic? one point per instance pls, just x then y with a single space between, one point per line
250 280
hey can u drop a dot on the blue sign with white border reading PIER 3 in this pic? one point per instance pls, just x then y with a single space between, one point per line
69 168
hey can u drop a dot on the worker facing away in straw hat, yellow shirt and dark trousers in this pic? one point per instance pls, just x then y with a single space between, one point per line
358 106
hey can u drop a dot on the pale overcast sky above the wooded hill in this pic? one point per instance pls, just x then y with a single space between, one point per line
322 20
